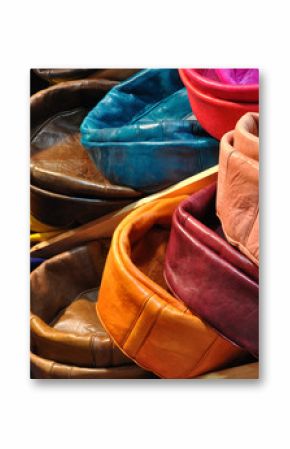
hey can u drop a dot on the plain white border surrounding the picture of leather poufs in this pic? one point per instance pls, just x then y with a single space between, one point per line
145 414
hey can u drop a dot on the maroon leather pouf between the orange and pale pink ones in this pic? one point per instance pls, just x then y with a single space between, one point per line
210 276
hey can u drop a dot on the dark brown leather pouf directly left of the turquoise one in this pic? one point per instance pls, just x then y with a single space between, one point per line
67 189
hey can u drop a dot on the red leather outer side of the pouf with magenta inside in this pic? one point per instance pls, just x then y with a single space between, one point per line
217 116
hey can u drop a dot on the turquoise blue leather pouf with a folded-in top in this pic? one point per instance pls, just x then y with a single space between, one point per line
138 134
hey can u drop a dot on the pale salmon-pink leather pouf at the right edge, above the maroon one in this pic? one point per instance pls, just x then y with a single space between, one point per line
238 186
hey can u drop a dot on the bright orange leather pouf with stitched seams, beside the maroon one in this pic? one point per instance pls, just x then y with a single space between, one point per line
150 326
